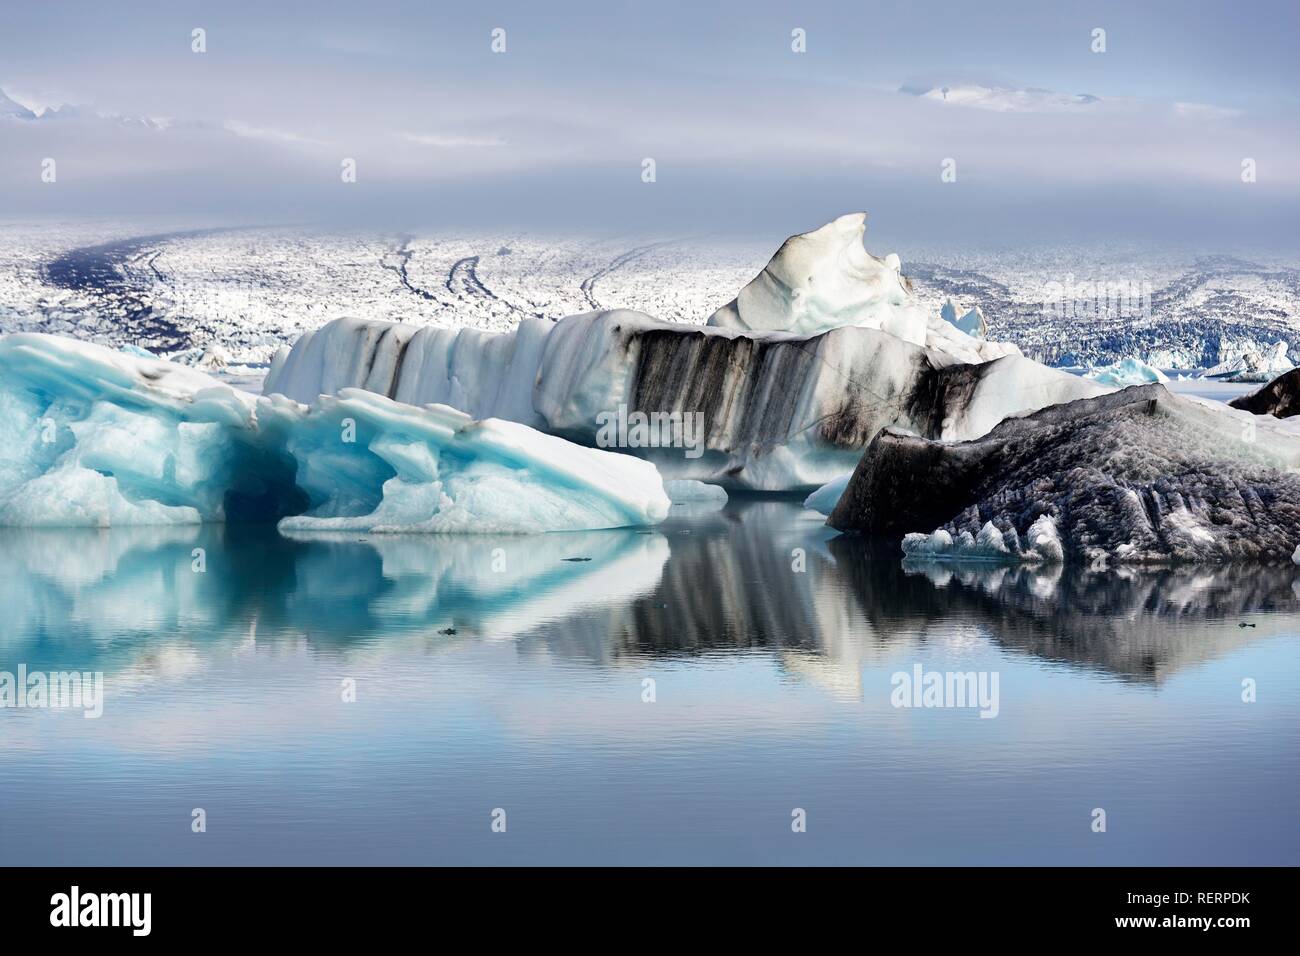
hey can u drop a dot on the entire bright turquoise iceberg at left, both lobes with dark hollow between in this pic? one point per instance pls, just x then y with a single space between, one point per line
97 438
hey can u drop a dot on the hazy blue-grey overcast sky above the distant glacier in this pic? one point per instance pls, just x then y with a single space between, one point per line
744 132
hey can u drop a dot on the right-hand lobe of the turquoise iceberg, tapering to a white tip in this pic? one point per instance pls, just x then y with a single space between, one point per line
436 469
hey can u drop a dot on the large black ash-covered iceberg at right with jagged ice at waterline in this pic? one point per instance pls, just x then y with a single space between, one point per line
1134 477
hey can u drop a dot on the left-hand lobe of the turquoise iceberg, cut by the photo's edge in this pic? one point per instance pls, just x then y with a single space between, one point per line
98 438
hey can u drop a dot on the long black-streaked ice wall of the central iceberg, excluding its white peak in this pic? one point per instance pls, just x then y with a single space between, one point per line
775 412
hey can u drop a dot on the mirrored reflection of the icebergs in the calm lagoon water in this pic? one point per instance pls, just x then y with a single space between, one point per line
760 576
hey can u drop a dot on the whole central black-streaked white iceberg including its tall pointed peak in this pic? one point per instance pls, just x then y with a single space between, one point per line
781 392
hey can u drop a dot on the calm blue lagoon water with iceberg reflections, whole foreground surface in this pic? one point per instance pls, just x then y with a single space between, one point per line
512 673
